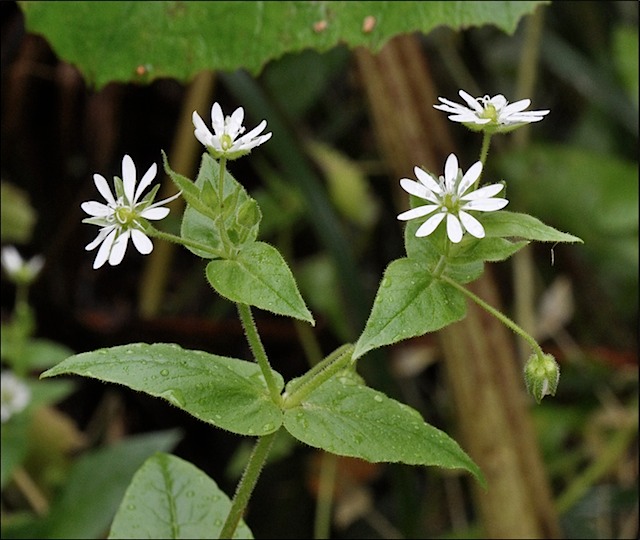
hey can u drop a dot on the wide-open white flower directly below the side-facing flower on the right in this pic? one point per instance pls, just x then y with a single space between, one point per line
447 197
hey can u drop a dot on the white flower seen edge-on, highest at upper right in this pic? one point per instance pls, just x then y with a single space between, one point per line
493 114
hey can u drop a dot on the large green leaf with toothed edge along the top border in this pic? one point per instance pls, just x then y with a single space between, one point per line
133 41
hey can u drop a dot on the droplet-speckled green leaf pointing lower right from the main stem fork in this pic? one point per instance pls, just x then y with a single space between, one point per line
349 419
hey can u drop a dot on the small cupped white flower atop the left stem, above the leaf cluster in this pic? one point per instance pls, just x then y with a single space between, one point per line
225 141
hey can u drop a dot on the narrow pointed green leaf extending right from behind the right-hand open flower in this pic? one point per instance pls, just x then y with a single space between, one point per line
512 224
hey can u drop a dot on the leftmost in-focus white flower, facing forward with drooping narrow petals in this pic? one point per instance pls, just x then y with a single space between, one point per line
123 216
